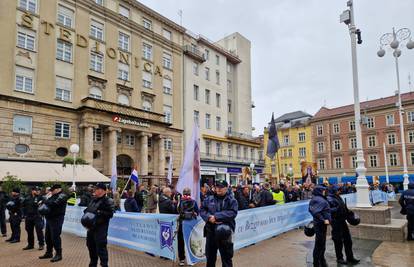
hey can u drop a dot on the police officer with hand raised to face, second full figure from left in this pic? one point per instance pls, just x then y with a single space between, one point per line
54 222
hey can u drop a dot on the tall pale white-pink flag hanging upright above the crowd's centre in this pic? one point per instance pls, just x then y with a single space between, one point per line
190 170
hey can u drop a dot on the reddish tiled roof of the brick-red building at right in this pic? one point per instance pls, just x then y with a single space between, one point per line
324 112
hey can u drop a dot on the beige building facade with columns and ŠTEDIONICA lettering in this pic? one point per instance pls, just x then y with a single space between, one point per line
104 74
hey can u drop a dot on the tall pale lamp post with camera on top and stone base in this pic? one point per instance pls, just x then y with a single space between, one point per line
362 186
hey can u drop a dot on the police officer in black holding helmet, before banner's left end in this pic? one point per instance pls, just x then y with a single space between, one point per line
103 207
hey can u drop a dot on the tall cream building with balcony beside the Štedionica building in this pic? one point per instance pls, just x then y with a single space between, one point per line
217 96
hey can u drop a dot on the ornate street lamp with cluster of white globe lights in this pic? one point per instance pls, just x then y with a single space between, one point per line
393 40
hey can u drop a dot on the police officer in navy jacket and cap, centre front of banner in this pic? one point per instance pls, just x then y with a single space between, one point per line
219 211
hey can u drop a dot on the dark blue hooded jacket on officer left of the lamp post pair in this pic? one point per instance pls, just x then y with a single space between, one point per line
319 206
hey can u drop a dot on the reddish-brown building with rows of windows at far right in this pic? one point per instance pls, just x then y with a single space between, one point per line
334 140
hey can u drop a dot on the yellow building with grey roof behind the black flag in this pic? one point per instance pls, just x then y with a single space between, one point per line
294 134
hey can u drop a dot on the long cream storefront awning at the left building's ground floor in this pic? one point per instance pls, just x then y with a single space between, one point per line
43 172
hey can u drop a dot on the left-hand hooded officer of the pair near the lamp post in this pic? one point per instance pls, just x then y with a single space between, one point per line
320 210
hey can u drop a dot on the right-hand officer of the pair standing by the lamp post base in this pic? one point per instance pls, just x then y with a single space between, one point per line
340 231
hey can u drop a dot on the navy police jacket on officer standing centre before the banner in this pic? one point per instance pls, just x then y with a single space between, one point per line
223 208
